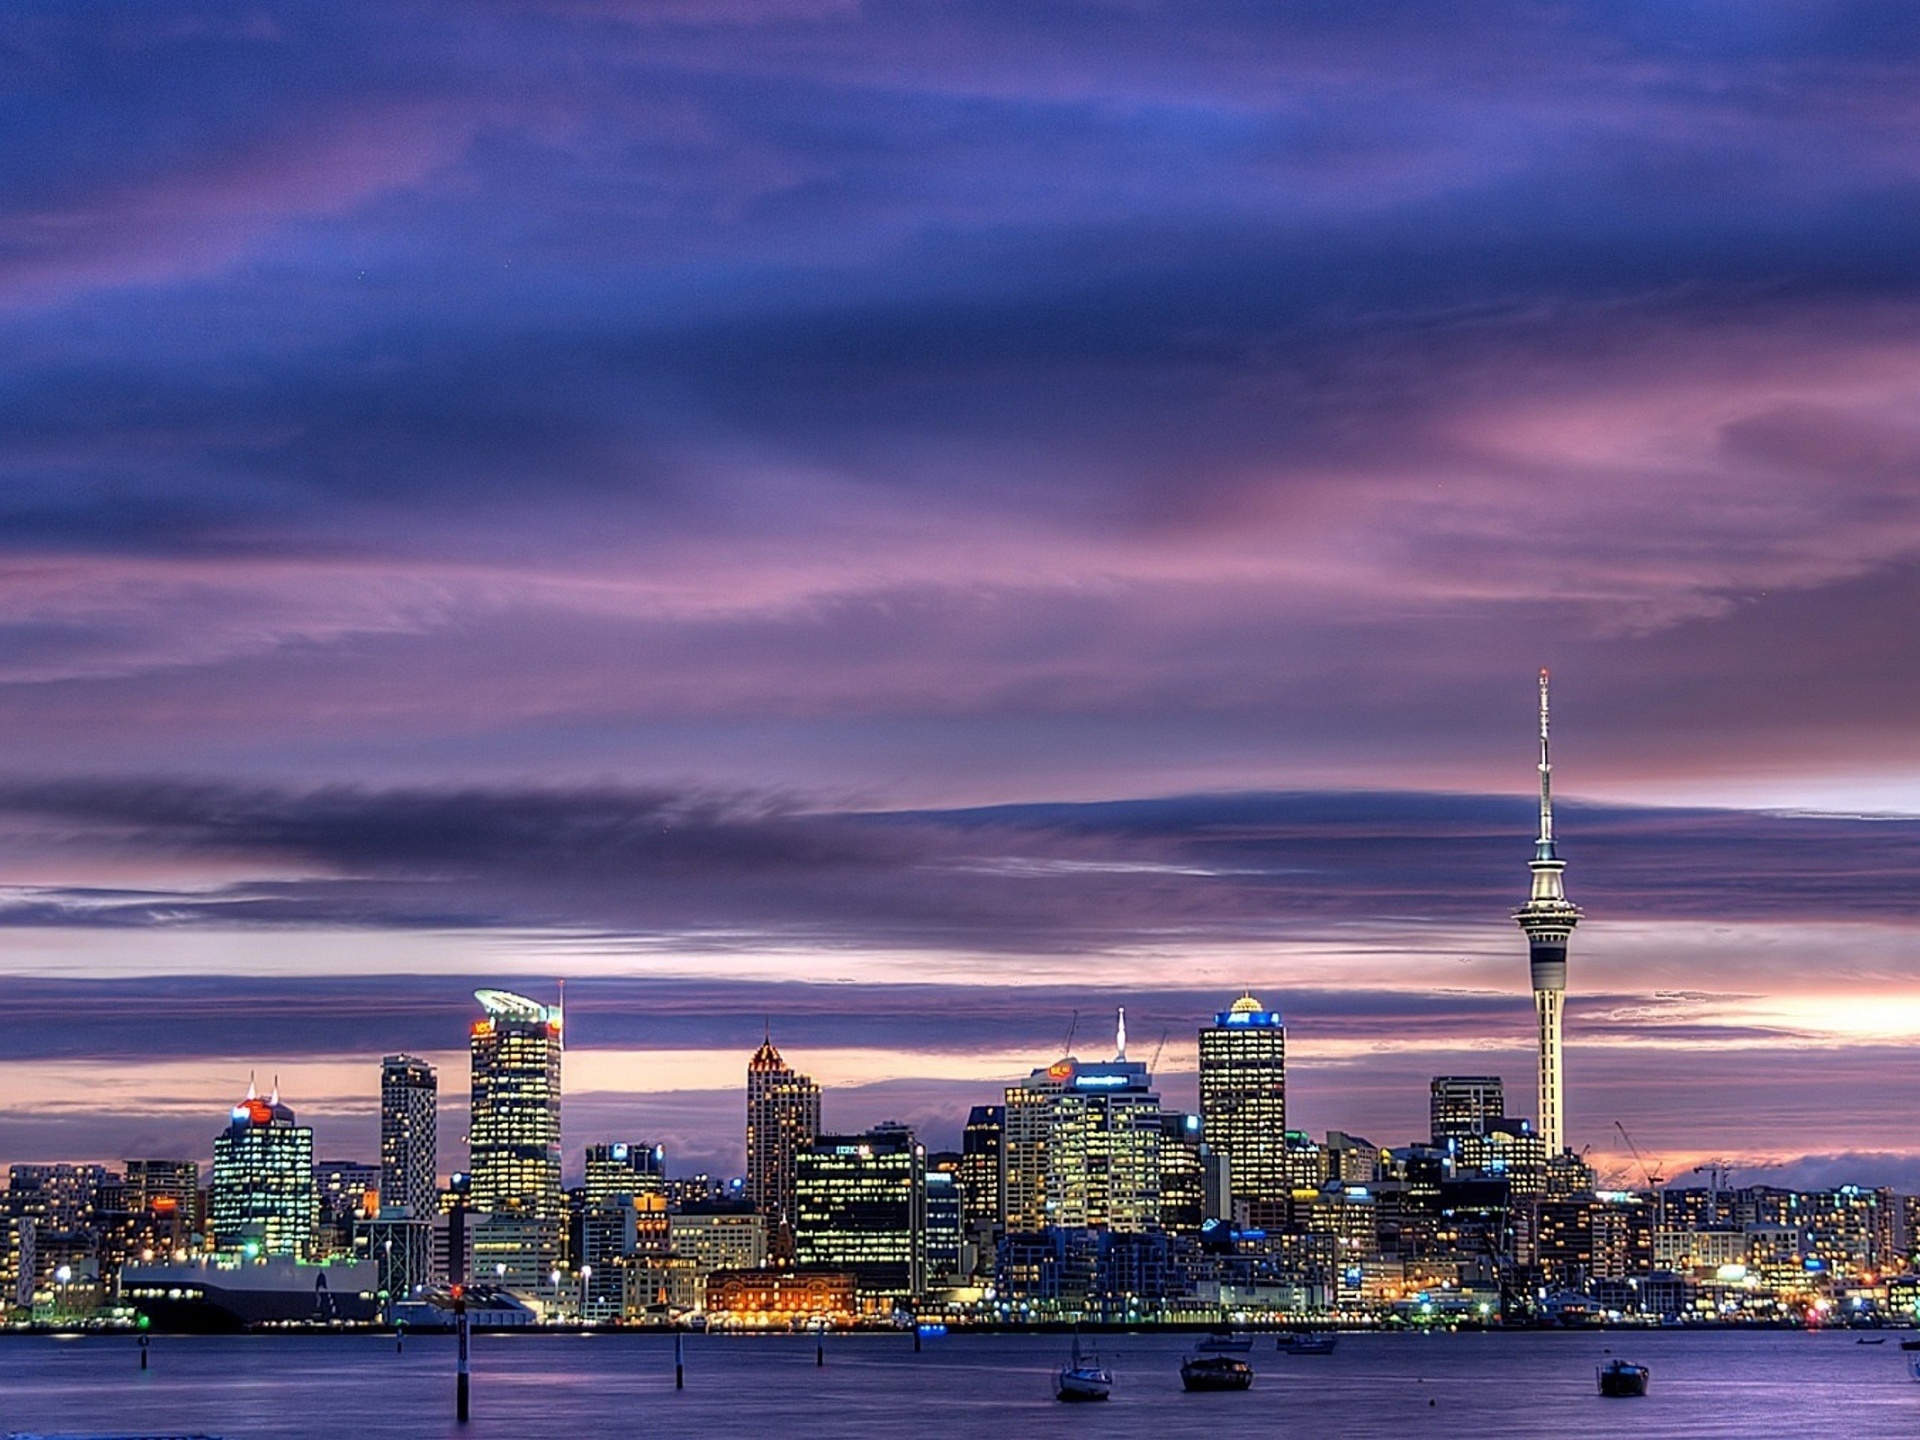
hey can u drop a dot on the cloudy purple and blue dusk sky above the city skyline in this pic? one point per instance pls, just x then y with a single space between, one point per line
907 521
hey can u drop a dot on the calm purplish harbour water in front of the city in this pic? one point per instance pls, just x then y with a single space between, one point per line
980 1387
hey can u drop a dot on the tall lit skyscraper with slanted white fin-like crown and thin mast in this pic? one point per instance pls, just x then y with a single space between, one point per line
516 1140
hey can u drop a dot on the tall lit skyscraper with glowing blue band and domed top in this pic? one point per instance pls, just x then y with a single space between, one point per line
1243 1097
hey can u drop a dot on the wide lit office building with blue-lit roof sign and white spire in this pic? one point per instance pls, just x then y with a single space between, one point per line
1084 1147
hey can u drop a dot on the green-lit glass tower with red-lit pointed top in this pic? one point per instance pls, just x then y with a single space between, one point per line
264 1203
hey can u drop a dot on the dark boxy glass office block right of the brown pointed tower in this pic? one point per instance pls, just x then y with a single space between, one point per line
861 1207
